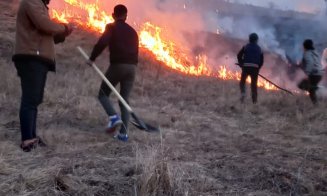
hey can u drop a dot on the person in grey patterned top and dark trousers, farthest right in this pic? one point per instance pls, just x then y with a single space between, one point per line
312 67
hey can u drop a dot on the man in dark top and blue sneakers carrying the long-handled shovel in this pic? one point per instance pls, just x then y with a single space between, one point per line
123 43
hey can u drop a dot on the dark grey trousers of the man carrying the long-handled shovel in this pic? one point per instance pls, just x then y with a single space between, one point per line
123 74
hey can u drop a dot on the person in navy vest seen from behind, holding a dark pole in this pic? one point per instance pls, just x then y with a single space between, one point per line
251 59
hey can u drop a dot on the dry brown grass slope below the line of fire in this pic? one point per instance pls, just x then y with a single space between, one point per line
209 143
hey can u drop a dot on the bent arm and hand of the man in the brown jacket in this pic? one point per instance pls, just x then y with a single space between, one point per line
39 16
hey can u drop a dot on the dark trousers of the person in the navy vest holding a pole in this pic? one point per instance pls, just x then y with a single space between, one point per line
253 73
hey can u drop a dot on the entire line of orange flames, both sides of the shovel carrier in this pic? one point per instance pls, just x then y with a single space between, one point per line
92 17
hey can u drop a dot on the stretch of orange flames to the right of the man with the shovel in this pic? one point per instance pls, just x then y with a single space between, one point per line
165 51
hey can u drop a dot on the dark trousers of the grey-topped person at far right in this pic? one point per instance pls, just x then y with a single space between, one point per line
311 85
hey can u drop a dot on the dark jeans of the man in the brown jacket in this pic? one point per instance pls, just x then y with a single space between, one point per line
33 75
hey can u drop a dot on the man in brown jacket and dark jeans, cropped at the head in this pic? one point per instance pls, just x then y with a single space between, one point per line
34 56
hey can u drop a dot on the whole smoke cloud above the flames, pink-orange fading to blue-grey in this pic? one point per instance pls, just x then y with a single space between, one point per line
194 25
